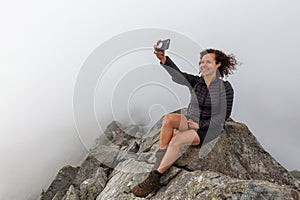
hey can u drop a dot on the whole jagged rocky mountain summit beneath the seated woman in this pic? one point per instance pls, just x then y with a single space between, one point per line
232 166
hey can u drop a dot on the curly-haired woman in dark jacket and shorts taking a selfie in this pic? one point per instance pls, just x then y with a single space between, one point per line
210 106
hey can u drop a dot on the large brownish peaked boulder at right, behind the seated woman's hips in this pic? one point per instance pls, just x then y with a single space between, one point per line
238 154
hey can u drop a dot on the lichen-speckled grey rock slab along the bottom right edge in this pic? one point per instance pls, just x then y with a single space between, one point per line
212 185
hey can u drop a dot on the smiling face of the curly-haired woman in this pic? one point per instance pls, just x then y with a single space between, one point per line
208 66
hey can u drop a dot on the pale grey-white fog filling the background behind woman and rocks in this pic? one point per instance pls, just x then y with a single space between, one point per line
45 47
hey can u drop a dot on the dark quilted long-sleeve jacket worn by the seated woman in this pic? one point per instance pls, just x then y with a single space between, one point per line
209 106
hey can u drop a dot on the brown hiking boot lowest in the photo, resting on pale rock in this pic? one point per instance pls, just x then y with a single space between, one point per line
150 184
